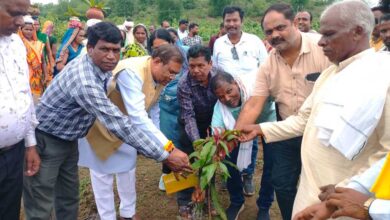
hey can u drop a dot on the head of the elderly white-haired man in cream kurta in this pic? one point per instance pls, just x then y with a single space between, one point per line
345 28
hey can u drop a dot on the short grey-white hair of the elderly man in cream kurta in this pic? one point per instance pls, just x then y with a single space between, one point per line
353 13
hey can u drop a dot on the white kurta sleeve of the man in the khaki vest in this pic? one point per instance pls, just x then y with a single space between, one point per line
130 86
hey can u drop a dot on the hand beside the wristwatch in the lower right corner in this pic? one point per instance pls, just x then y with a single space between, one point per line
349 203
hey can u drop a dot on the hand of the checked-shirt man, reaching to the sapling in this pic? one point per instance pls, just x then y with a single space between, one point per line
178 161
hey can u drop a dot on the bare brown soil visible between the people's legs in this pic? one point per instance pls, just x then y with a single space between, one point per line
152 204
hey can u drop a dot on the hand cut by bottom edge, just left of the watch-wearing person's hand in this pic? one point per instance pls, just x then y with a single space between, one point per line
317 211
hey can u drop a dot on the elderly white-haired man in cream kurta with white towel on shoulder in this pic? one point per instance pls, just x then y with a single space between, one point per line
345 118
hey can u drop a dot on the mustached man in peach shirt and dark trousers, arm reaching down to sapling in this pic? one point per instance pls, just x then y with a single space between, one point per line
288 75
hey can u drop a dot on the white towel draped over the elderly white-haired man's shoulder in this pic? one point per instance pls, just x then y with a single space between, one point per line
351 111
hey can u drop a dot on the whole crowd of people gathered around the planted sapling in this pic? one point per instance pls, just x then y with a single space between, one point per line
111 92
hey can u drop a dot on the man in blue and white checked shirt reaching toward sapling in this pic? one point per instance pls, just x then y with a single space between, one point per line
74 100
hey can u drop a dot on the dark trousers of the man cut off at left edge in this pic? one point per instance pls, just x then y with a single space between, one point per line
11 181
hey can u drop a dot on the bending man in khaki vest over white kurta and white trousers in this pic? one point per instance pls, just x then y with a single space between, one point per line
135 89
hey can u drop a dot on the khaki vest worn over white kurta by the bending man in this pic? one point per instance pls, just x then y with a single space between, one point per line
103 142
